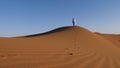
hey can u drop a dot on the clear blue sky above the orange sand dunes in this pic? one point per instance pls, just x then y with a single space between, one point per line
24 17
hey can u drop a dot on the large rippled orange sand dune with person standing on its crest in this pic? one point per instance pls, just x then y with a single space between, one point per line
66 47
